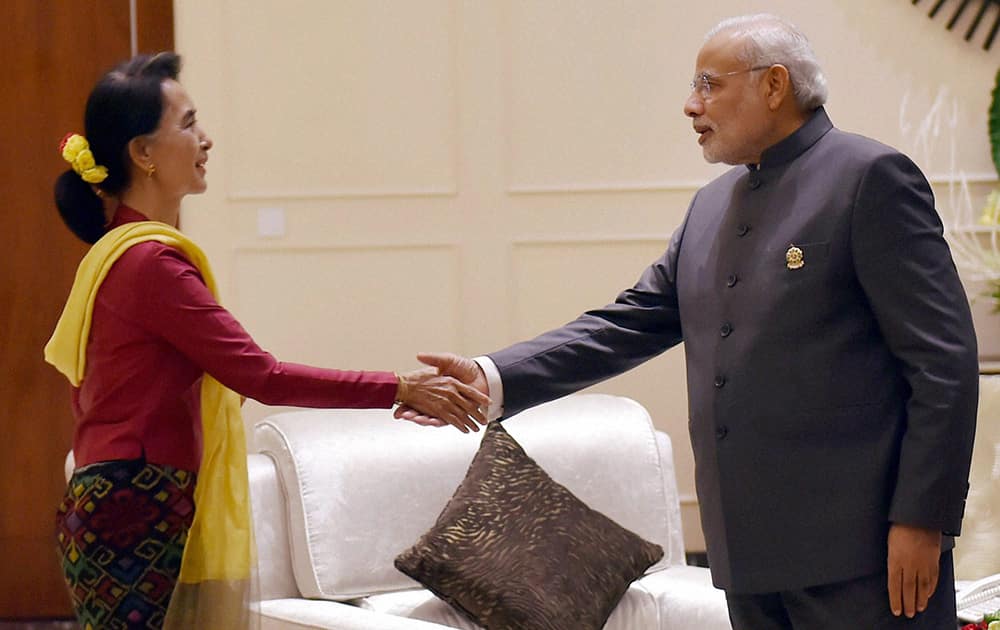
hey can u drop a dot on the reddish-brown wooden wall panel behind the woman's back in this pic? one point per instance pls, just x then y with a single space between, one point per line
54 51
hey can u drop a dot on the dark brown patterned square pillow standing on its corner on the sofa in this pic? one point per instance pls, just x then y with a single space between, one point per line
513 549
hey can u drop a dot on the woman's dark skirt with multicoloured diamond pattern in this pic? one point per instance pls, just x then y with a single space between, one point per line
121 529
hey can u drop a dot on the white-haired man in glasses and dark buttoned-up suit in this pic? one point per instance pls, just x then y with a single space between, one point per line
831 358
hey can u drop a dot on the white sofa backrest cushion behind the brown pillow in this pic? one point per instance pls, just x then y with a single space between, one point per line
361 487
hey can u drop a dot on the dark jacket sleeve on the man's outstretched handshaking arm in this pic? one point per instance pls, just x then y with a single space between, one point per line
640 324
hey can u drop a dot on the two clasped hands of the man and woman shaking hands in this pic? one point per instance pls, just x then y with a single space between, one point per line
453 390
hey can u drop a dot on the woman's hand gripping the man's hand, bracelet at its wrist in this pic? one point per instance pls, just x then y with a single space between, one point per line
442 400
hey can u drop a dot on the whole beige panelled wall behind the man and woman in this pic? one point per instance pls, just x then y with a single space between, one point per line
460 175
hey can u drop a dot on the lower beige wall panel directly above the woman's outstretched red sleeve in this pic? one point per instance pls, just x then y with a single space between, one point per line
350 308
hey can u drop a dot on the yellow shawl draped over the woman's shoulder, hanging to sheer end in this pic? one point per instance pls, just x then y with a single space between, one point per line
219 556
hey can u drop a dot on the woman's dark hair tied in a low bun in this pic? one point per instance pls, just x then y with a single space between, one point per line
126 102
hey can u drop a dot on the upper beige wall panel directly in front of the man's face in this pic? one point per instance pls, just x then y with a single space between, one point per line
577 118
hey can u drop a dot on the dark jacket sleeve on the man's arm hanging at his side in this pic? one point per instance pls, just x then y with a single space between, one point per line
907 274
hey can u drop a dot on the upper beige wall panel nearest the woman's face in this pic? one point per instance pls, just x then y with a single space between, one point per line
346 98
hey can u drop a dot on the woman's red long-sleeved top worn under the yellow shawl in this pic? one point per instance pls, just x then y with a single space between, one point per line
155 330
